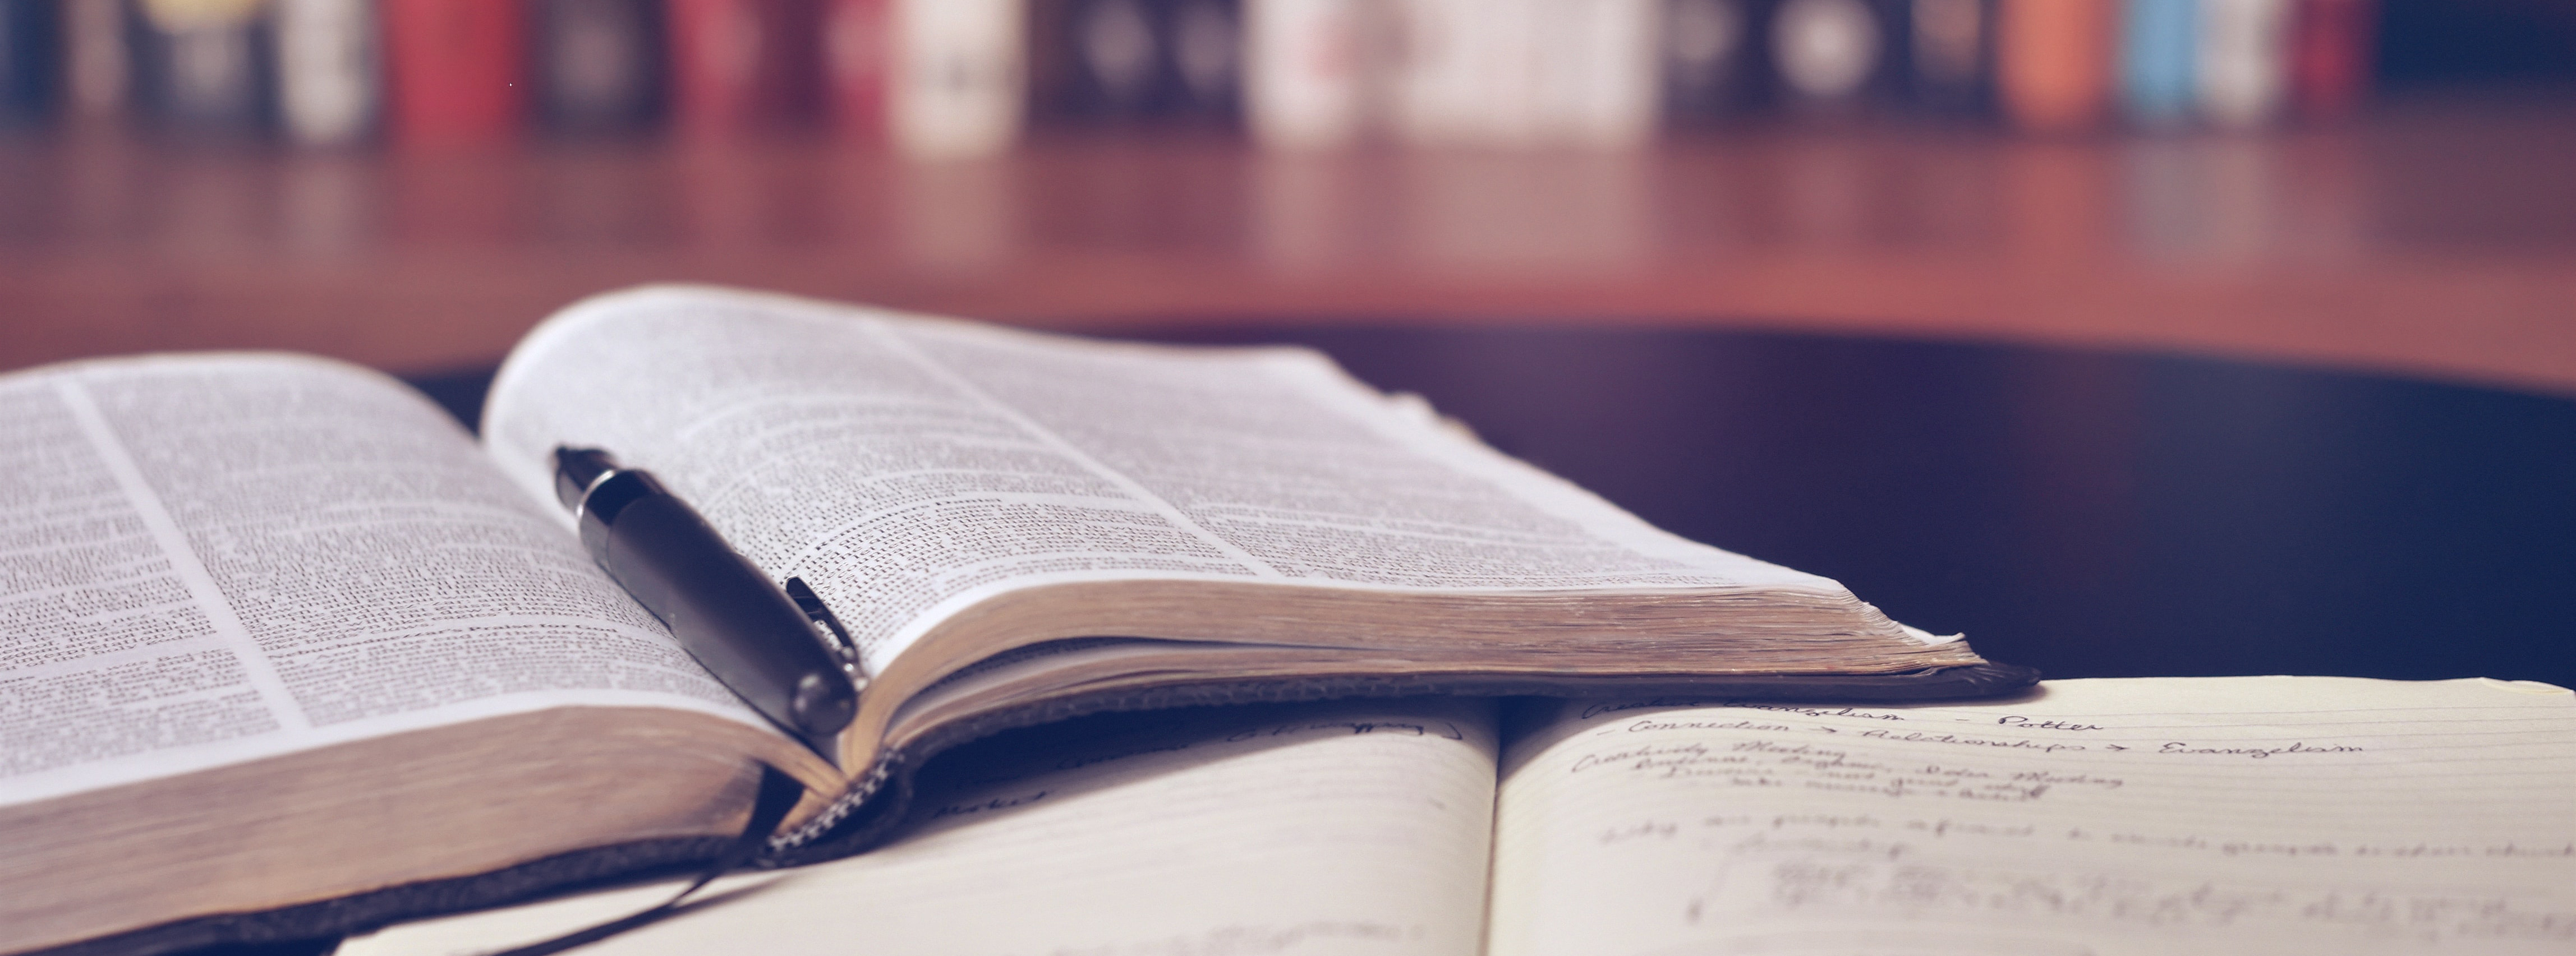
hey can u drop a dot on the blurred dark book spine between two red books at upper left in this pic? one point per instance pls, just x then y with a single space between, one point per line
599 63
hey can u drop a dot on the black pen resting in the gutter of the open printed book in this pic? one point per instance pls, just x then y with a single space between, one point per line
779 651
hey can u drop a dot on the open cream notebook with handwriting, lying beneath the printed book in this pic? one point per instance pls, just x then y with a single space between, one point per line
2114 818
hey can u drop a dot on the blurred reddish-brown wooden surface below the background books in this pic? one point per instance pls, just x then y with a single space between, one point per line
2436 238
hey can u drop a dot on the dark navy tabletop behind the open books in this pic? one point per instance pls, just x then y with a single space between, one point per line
2088 514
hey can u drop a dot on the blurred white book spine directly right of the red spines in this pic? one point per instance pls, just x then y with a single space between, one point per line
960 81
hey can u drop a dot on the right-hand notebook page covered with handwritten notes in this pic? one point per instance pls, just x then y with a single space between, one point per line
2284 816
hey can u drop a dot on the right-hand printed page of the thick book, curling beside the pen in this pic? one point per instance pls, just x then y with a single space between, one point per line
913 468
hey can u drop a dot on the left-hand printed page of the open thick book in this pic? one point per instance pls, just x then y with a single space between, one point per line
223 558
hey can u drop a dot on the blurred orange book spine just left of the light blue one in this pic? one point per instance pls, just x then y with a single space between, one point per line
2054 63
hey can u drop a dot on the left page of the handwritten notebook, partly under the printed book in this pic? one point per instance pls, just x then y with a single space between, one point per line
1343 828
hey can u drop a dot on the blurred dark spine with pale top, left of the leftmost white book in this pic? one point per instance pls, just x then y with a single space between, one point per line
202 66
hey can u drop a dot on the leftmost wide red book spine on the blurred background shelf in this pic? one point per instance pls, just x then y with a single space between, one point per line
457 68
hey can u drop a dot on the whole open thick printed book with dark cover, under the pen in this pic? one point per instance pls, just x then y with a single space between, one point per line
287 653
